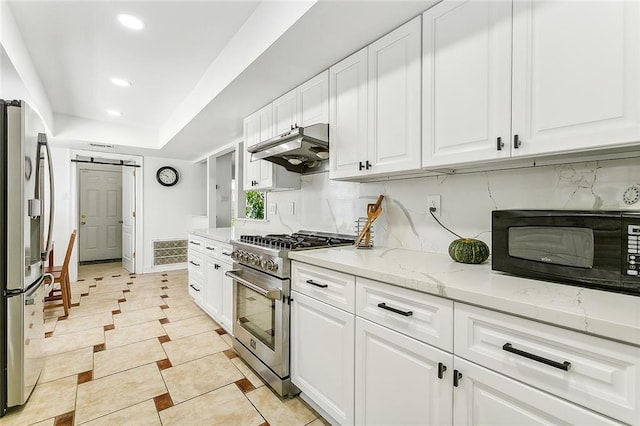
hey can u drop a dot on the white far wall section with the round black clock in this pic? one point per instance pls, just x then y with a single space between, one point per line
170 212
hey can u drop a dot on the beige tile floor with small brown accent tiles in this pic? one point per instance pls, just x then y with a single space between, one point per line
136 350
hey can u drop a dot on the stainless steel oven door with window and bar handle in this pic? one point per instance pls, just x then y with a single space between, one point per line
261 318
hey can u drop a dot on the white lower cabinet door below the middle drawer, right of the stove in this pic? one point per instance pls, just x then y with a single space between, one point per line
397 380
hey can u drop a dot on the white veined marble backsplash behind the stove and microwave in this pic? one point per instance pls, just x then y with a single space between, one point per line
466 201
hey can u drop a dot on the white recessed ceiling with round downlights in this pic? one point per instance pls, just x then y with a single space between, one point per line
77 46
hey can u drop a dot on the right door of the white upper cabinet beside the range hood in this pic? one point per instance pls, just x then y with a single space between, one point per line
394 118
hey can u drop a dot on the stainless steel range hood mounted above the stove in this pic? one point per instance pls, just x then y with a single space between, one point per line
302 149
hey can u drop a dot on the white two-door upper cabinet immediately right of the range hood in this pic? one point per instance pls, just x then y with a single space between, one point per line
374 121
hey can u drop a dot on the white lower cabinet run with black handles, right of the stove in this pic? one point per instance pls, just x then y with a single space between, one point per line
420 359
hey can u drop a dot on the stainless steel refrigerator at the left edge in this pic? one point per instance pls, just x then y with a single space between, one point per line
26 207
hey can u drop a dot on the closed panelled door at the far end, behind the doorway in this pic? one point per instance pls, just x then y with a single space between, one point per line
100 226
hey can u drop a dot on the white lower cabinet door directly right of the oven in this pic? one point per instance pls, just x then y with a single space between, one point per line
322 362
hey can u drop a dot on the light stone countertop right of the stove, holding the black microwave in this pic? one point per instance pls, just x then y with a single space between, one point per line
612 315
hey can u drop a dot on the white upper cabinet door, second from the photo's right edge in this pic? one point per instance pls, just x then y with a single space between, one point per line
466 82
